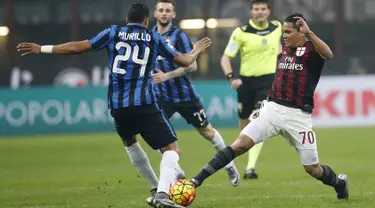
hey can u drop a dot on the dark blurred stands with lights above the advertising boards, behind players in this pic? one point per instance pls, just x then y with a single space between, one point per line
346 25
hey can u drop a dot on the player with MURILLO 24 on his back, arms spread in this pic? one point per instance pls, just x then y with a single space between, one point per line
132 51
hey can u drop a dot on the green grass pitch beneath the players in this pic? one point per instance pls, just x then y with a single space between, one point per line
93 170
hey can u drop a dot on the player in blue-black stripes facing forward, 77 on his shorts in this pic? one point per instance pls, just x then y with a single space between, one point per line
175 92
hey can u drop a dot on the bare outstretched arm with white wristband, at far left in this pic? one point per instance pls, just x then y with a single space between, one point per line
75 47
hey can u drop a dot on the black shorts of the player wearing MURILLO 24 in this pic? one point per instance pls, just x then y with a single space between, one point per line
149 120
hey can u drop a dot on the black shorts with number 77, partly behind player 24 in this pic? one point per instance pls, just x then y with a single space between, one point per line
192 111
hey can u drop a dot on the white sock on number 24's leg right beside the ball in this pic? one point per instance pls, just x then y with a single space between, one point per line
168 170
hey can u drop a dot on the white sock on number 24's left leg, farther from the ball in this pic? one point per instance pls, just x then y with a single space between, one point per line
140 161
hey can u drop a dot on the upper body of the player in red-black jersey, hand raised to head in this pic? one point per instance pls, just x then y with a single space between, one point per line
299 68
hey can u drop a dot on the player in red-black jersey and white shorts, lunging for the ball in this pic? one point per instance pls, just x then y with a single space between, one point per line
289 107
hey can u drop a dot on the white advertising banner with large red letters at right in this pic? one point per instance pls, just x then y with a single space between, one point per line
345 101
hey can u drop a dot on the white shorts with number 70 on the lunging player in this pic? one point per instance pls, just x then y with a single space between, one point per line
293 124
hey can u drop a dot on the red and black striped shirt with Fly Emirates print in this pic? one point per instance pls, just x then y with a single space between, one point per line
298 73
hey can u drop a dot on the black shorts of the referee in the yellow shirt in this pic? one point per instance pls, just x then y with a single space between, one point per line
252 92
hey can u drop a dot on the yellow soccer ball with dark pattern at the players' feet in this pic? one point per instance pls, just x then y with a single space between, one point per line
182 192
